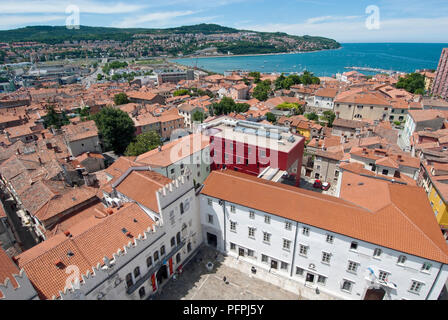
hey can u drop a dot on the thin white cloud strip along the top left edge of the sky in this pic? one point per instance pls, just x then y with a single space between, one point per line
59 6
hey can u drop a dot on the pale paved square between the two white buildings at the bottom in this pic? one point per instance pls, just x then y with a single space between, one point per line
197 283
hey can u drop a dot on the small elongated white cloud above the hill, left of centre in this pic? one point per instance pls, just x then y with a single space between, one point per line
157 19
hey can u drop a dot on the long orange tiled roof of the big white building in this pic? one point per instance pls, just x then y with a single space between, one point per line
405 222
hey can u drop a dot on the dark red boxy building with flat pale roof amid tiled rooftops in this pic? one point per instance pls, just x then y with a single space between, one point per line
251 148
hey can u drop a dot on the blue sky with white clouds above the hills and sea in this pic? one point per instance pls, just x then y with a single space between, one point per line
343 20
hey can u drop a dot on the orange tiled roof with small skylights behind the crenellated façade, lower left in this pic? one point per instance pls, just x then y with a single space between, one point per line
91 240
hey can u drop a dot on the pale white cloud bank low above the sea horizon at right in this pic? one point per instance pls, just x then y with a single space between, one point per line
354 30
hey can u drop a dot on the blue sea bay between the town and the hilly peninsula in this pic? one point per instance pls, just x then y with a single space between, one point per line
399 57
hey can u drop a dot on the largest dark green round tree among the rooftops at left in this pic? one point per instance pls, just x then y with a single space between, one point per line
116 128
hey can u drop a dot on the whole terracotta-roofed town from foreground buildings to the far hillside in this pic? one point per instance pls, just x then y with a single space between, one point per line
123 172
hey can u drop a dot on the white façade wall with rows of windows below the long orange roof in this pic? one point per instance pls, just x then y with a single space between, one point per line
341 254
